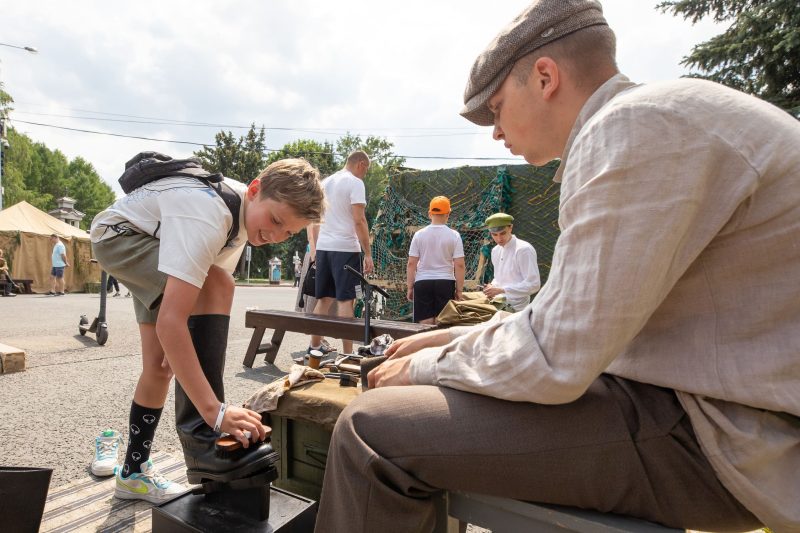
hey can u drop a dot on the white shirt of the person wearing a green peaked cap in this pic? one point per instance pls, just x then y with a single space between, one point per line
516 271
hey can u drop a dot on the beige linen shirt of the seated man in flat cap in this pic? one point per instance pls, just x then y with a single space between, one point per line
678 265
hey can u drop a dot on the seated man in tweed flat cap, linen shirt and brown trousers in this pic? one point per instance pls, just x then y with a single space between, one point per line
656 374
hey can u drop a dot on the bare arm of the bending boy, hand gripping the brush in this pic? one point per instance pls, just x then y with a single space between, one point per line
177 304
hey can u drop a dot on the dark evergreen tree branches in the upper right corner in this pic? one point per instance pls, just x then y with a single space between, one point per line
758 54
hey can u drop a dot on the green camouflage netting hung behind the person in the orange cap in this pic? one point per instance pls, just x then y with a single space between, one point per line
526 192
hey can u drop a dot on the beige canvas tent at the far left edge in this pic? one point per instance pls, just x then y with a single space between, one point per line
25 238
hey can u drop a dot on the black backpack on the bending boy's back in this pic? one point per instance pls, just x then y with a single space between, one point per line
147 167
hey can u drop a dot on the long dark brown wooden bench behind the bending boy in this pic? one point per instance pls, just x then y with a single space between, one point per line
311 324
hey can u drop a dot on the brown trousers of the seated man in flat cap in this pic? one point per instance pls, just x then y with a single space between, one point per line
623 447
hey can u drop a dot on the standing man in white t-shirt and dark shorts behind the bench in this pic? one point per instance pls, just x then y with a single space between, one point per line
343 236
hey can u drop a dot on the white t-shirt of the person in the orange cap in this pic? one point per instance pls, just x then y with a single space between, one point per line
436 246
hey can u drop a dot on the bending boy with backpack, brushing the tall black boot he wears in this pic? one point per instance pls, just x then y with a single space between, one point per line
174 241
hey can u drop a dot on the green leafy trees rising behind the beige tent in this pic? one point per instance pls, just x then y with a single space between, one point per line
34 173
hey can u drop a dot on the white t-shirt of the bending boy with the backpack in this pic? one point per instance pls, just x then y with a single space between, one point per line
188 217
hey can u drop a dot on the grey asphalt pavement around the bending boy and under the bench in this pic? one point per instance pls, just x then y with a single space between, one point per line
73 388
